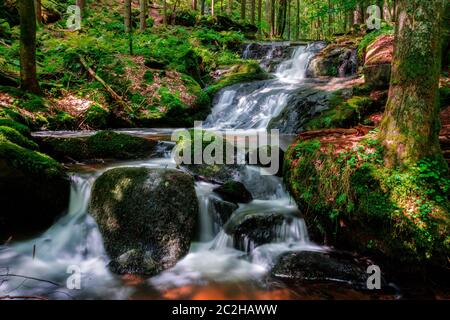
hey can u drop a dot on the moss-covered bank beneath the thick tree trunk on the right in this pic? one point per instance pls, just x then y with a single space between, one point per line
353 200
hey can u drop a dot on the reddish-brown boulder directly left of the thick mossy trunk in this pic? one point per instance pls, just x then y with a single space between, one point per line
377 66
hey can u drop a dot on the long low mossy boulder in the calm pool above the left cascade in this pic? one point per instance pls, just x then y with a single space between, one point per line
102 145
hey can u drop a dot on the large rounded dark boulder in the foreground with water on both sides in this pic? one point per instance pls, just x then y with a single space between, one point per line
147 217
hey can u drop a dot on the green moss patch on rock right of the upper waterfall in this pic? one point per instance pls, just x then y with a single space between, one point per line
341 113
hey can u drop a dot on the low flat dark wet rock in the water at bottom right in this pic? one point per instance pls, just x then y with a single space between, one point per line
320 267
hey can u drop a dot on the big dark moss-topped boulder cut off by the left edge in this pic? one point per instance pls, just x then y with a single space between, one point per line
34 188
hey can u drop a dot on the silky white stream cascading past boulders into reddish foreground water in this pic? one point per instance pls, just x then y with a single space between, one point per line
214 267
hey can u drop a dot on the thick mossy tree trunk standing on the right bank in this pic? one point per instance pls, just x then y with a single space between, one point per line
410 125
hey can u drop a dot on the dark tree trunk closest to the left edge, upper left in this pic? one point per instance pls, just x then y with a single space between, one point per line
28 76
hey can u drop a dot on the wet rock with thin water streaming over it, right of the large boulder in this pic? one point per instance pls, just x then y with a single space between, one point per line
251 229
